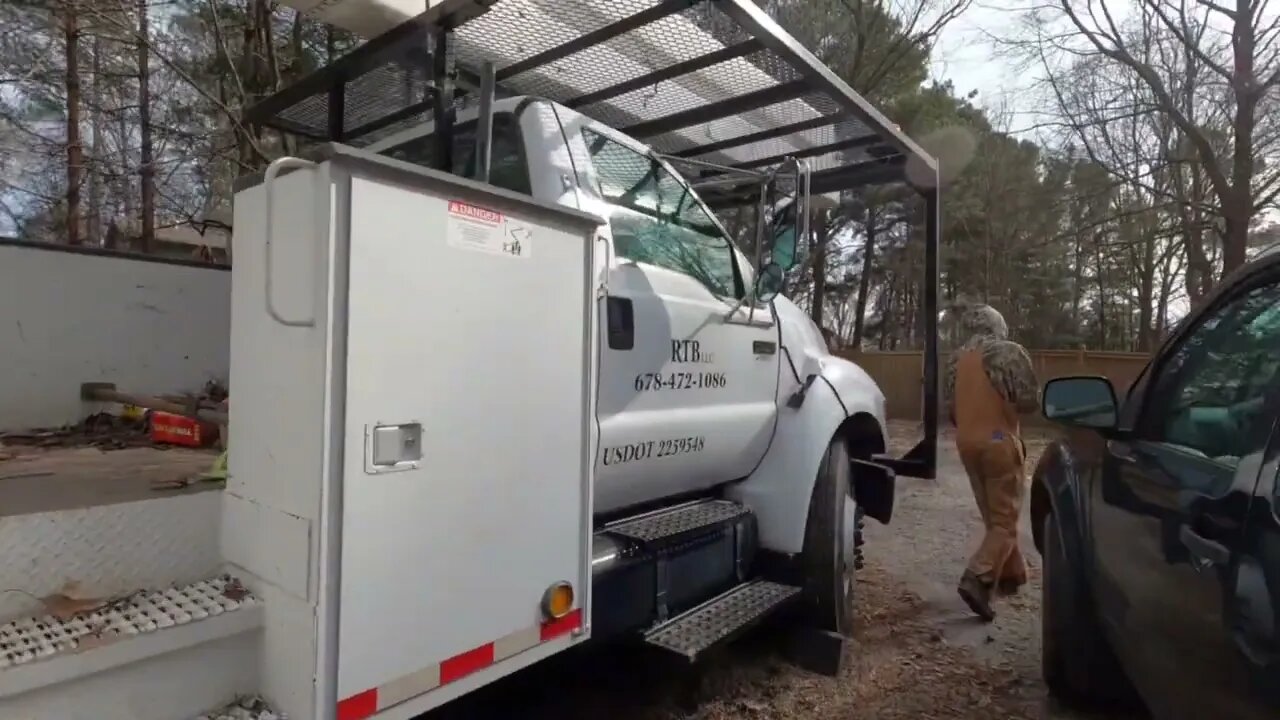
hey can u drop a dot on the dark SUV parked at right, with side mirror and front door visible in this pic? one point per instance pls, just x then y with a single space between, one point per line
1158 520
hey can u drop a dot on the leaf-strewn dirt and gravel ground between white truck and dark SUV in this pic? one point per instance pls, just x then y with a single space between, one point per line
918 653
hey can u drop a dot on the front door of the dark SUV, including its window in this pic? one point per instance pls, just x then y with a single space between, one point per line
1169 513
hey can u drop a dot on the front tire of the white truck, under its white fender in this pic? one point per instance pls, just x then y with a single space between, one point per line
829 564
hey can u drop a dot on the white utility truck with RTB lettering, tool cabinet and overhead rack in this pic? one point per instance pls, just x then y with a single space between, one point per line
502 382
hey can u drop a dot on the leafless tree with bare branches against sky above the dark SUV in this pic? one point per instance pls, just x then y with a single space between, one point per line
1212 70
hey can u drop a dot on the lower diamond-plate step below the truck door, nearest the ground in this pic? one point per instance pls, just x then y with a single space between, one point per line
721 619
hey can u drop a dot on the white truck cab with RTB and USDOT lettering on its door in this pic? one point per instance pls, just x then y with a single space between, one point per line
692 352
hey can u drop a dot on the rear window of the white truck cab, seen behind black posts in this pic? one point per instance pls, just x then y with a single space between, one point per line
508 165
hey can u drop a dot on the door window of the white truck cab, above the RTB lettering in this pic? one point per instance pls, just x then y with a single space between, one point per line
657 220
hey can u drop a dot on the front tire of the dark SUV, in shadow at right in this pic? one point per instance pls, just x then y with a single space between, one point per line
1080 667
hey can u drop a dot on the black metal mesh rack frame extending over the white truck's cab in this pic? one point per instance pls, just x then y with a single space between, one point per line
715 85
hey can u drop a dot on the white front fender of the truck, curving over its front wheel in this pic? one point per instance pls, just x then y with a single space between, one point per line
840 394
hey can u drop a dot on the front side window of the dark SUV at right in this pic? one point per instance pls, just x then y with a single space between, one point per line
1219 393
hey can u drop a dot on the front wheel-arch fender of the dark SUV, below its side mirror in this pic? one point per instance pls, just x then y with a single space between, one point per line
1057 489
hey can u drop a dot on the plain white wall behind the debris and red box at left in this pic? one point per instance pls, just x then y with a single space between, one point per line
72 317
